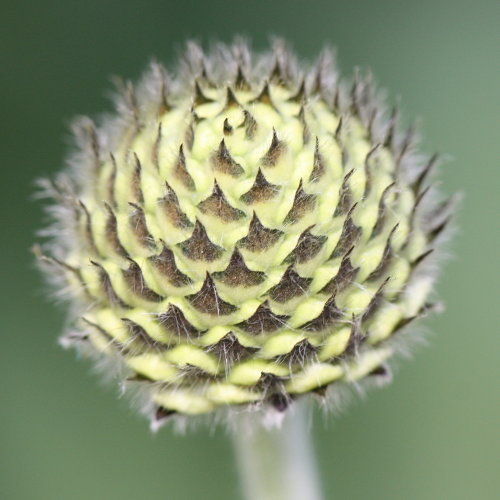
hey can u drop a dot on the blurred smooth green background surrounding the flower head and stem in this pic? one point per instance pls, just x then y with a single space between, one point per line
432 434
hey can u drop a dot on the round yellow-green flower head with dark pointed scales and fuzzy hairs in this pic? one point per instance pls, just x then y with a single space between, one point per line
244 233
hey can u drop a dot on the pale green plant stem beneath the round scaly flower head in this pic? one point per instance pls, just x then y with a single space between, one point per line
278 463
